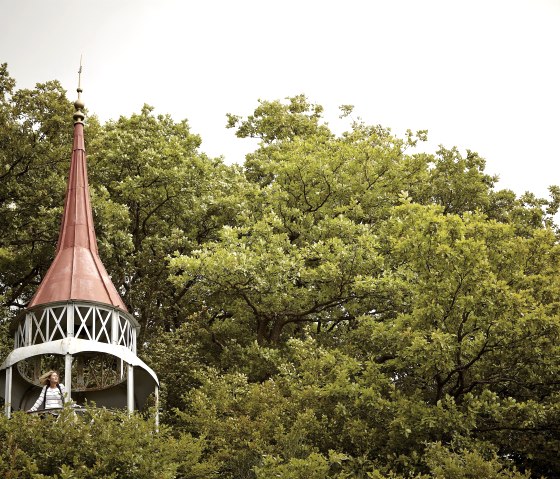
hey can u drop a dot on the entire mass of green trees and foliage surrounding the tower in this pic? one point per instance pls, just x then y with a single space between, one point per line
337 306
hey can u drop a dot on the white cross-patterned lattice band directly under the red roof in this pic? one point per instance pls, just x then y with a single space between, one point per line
89 321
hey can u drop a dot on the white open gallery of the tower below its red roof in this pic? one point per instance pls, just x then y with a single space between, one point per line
93 343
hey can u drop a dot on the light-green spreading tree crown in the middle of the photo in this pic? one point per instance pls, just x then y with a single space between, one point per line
305 245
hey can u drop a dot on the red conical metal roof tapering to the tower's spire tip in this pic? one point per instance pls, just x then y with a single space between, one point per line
77 272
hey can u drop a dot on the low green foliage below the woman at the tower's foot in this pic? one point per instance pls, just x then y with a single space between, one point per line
100 444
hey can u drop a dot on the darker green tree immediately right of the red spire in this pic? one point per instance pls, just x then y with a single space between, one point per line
155 195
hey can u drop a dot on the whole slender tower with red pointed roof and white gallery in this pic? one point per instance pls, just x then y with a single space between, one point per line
77 319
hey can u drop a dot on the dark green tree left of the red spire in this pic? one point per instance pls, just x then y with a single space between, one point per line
34 158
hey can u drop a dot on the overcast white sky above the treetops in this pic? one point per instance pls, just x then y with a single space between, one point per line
478 74
